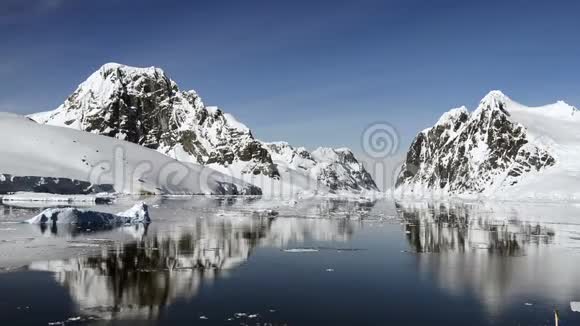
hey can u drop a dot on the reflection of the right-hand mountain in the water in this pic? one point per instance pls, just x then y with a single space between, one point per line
494 253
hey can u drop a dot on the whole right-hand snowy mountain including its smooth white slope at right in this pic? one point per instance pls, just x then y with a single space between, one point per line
502 149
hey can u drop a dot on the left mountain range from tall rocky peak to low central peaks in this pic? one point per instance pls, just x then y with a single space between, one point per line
144 106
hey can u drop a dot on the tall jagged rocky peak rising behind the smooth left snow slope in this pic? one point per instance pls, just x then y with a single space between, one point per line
144 106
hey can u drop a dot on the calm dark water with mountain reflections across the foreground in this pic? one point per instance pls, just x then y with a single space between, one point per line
220 261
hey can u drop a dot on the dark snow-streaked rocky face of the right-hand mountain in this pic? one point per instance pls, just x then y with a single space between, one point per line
466 153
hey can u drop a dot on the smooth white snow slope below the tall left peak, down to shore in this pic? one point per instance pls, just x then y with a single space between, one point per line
42 158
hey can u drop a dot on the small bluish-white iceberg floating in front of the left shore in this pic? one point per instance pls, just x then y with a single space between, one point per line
138 214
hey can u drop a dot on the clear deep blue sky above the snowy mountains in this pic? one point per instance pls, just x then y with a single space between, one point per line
309 72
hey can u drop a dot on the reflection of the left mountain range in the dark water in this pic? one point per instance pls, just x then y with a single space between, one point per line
138 279
